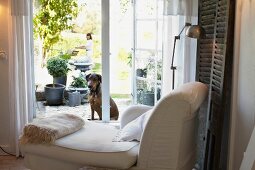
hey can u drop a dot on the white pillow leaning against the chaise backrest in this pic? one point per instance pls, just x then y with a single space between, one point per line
134 129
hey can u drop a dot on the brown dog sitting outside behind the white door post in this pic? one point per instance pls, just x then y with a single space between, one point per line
95 97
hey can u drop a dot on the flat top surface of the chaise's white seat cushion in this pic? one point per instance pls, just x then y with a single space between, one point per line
95 133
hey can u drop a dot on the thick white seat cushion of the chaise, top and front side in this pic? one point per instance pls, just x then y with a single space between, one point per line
92 145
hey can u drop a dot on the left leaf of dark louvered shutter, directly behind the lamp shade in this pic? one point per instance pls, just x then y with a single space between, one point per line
207 15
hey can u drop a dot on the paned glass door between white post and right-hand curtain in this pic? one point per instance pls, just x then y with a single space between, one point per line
147 51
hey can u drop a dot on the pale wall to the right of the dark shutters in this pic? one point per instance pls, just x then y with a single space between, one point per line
243 98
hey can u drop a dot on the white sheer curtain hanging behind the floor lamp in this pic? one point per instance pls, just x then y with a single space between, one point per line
176 14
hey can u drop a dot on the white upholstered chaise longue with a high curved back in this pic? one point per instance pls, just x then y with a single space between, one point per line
168 141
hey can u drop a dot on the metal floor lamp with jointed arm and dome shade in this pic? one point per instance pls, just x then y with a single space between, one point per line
193 31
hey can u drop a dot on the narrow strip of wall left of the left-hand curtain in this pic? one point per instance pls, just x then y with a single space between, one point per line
4 77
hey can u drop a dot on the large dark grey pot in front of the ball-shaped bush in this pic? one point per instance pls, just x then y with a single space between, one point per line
54 95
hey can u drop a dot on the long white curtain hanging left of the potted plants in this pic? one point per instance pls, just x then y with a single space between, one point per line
21 68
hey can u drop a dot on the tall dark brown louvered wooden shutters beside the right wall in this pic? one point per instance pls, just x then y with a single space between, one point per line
220 79
